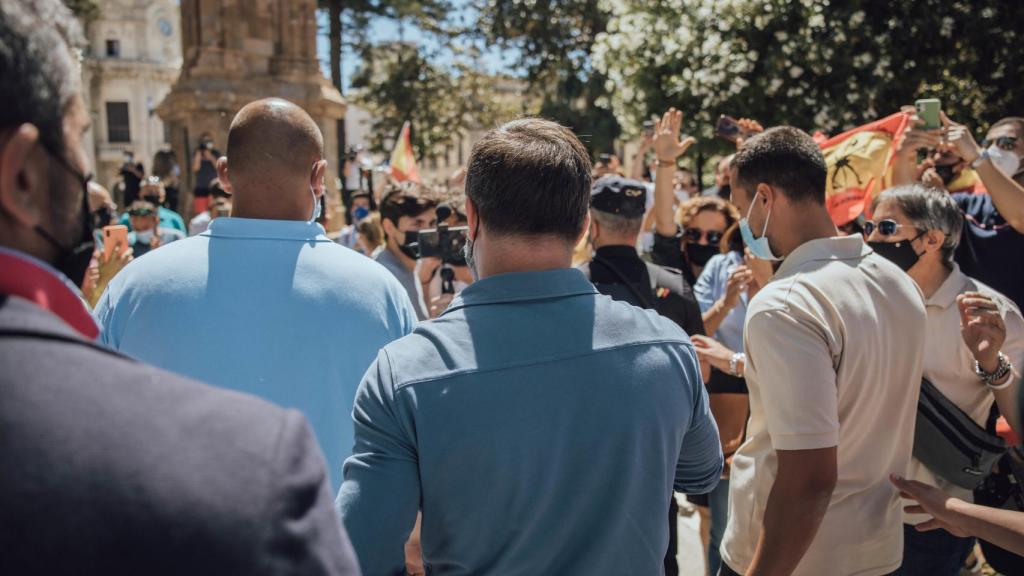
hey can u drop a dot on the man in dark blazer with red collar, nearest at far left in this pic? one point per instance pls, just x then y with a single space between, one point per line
107 466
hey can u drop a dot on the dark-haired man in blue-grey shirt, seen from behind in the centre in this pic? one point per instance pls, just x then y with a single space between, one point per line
537 425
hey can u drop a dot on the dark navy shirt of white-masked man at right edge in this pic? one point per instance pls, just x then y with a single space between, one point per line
991 250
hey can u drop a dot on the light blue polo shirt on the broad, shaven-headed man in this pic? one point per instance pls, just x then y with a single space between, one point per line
272 308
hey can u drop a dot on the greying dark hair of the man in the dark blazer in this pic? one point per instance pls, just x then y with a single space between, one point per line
38 72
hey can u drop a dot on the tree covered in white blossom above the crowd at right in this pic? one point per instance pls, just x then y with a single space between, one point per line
815 64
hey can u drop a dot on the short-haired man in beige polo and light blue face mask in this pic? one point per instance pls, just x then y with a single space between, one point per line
835 348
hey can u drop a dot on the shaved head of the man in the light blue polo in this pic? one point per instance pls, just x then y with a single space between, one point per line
275 153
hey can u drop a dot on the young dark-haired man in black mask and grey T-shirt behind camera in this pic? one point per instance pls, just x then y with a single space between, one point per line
404 214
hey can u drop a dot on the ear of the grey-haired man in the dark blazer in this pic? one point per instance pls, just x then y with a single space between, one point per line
21 185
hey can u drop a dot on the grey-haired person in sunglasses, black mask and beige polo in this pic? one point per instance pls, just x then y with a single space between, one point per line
974 346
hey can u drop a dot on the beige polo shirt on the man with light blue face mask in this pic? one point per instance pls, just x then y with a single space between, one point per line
835 347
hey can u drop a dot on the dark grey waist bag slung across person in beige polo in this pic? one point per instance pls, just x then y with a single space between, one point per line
951 443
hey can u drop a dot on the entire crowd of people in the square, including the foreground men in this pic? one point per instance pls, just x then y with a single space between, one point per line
515 373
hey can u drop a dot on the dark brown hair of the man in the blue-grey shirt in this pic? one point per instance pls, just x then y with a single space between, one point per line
531 178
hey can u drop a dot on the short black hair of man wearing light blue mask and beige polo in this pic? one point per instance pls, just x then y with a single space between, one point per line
787 158
